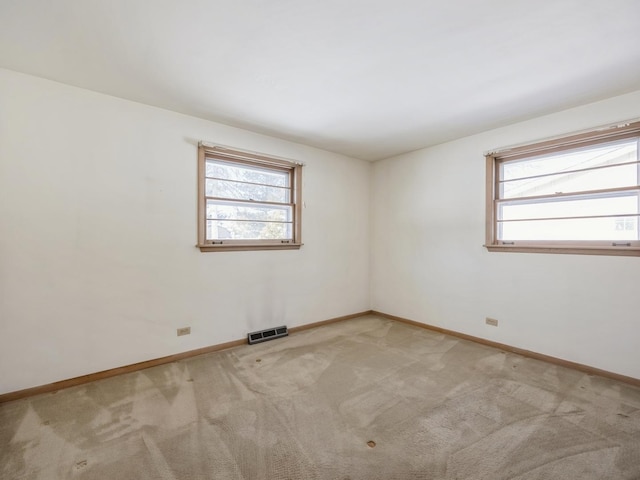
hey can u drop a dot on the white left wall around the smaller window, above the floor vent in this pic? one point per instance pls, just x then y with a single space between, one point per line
97 231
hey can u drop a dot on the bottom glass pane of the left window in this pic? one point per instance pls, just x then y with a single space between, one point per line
229 229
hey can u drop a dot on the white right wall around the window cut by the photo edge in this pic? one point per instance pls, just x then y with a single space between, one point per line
428 263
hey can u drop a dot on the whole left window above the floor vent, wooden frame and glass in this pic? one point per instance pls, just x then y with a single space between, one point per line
247 201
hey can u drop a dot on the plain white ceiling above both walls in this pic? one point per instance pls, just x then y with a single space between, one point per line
367 78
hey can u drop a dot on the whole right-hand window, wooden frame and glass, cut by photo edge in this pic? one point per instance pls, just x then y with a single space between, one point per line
578 194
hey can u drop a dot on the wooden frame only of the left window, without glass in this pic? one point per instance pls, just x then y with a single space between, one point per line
247 158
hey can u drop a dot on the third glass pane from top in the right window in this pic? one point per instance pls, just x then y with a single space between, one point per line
572 207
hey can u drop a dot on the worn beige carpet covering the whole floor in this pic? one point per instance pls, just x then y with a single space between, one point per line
304 407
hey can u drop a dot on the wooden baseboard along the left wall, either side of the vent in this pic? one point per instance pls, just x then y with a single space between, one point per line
83 379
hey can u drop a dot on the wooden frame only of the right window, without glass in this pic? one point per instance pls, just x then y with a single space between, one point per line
584 139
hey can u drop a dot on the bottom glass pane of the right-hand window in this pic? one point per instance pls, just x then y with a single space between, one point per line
623 228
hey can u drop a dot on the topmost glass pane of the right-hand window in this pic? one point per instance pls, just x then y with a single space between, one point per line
612 153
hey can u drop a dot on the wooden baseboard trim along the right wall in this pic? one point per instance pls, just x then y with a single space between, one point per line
520 351
